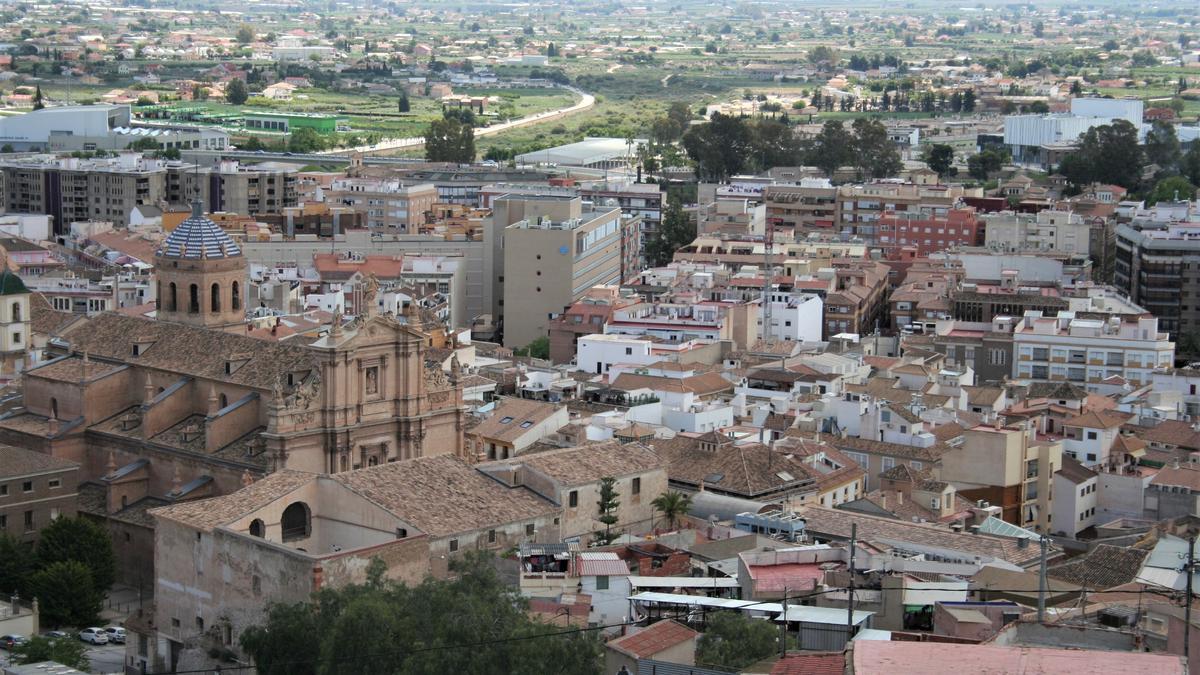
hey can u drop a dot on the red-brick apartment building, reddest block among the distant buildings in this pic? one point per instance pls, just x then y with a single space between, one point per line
928 232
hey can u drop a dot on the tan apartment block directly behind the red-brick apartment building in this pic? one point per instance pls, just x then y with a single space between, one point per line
862 207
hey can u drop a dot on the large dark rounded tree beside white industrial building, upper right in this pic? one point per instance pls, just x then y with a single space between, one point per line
1107 154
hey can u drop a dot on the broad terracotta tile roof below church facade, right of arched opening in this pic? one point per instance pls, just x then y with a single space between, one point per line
443 495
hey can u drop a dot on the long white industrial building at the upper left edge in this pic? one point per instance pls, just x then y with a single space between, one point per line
99 128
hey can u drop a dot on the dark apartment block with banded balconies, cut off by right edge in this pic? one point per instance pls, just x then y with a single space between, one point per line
1159 266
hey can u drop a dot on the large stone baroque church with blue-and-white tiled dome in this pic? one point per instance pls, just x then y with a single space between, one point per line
189 407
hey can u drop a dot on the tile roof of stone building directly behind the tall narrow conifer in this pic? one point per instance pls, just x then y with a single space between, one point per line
590 464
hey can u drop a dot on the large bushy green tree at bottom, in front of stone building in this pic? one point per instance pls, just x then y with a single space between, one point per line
387 628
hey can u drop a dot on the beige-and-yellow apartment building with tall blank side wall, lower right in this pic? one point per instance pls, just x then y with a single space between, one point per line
1009 468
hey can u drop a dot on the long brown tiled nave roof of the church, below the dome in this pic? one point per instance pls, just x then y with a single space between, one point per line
193 351
